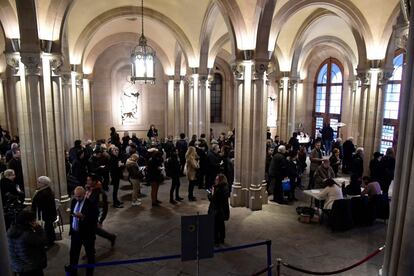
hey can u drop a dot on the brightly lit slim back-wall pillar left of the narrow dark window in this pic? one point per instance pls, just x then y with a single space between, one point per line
193 95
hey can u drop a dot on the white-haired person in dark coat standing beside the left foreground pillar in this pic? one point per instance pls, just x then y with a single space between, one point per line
43 204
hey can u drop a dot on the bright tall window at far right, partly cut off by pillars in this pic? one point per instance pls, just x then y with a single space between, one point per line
389 135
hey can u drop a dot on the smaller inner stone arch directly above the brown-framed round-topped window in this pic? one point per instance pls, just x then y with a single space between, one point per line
300 61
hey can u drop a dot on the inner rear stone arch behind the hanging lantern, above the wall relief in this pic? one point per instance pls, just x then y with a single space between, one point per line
101 46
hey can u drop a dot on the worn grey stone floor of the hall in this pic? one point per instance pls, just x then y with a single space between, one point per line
148 232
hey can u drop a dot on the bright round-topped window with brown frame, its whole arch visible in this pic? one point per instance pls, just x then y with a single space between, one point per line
328 95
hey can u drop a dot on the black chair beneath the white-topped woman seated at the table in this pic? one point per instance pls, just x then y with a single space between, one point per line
340 217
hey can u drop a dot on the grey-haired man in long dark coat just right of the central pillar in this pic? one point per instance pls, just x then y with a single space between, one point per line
277 172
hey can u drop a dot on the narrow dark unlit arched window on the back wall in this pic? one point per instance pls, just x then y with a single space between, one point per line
216 93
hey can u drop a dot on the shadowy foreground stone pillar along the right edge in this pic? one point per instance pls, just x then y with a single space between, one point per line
399 248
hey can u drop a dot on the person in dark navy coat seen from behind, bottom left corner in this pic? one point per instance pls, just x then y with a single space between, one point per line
27 242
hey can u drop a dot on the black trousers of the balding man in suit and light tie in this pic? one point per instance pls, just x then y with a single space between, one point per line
76 243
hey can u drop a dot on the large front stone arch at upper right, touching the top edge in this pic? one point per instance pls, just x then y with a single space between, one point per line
346 10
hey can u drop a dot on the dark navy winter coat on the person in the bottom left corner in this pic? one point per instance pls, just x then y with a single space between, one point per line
27 248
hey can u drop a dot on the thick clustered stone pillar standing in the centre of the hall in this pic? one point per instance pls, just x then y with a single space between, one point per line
250 135
